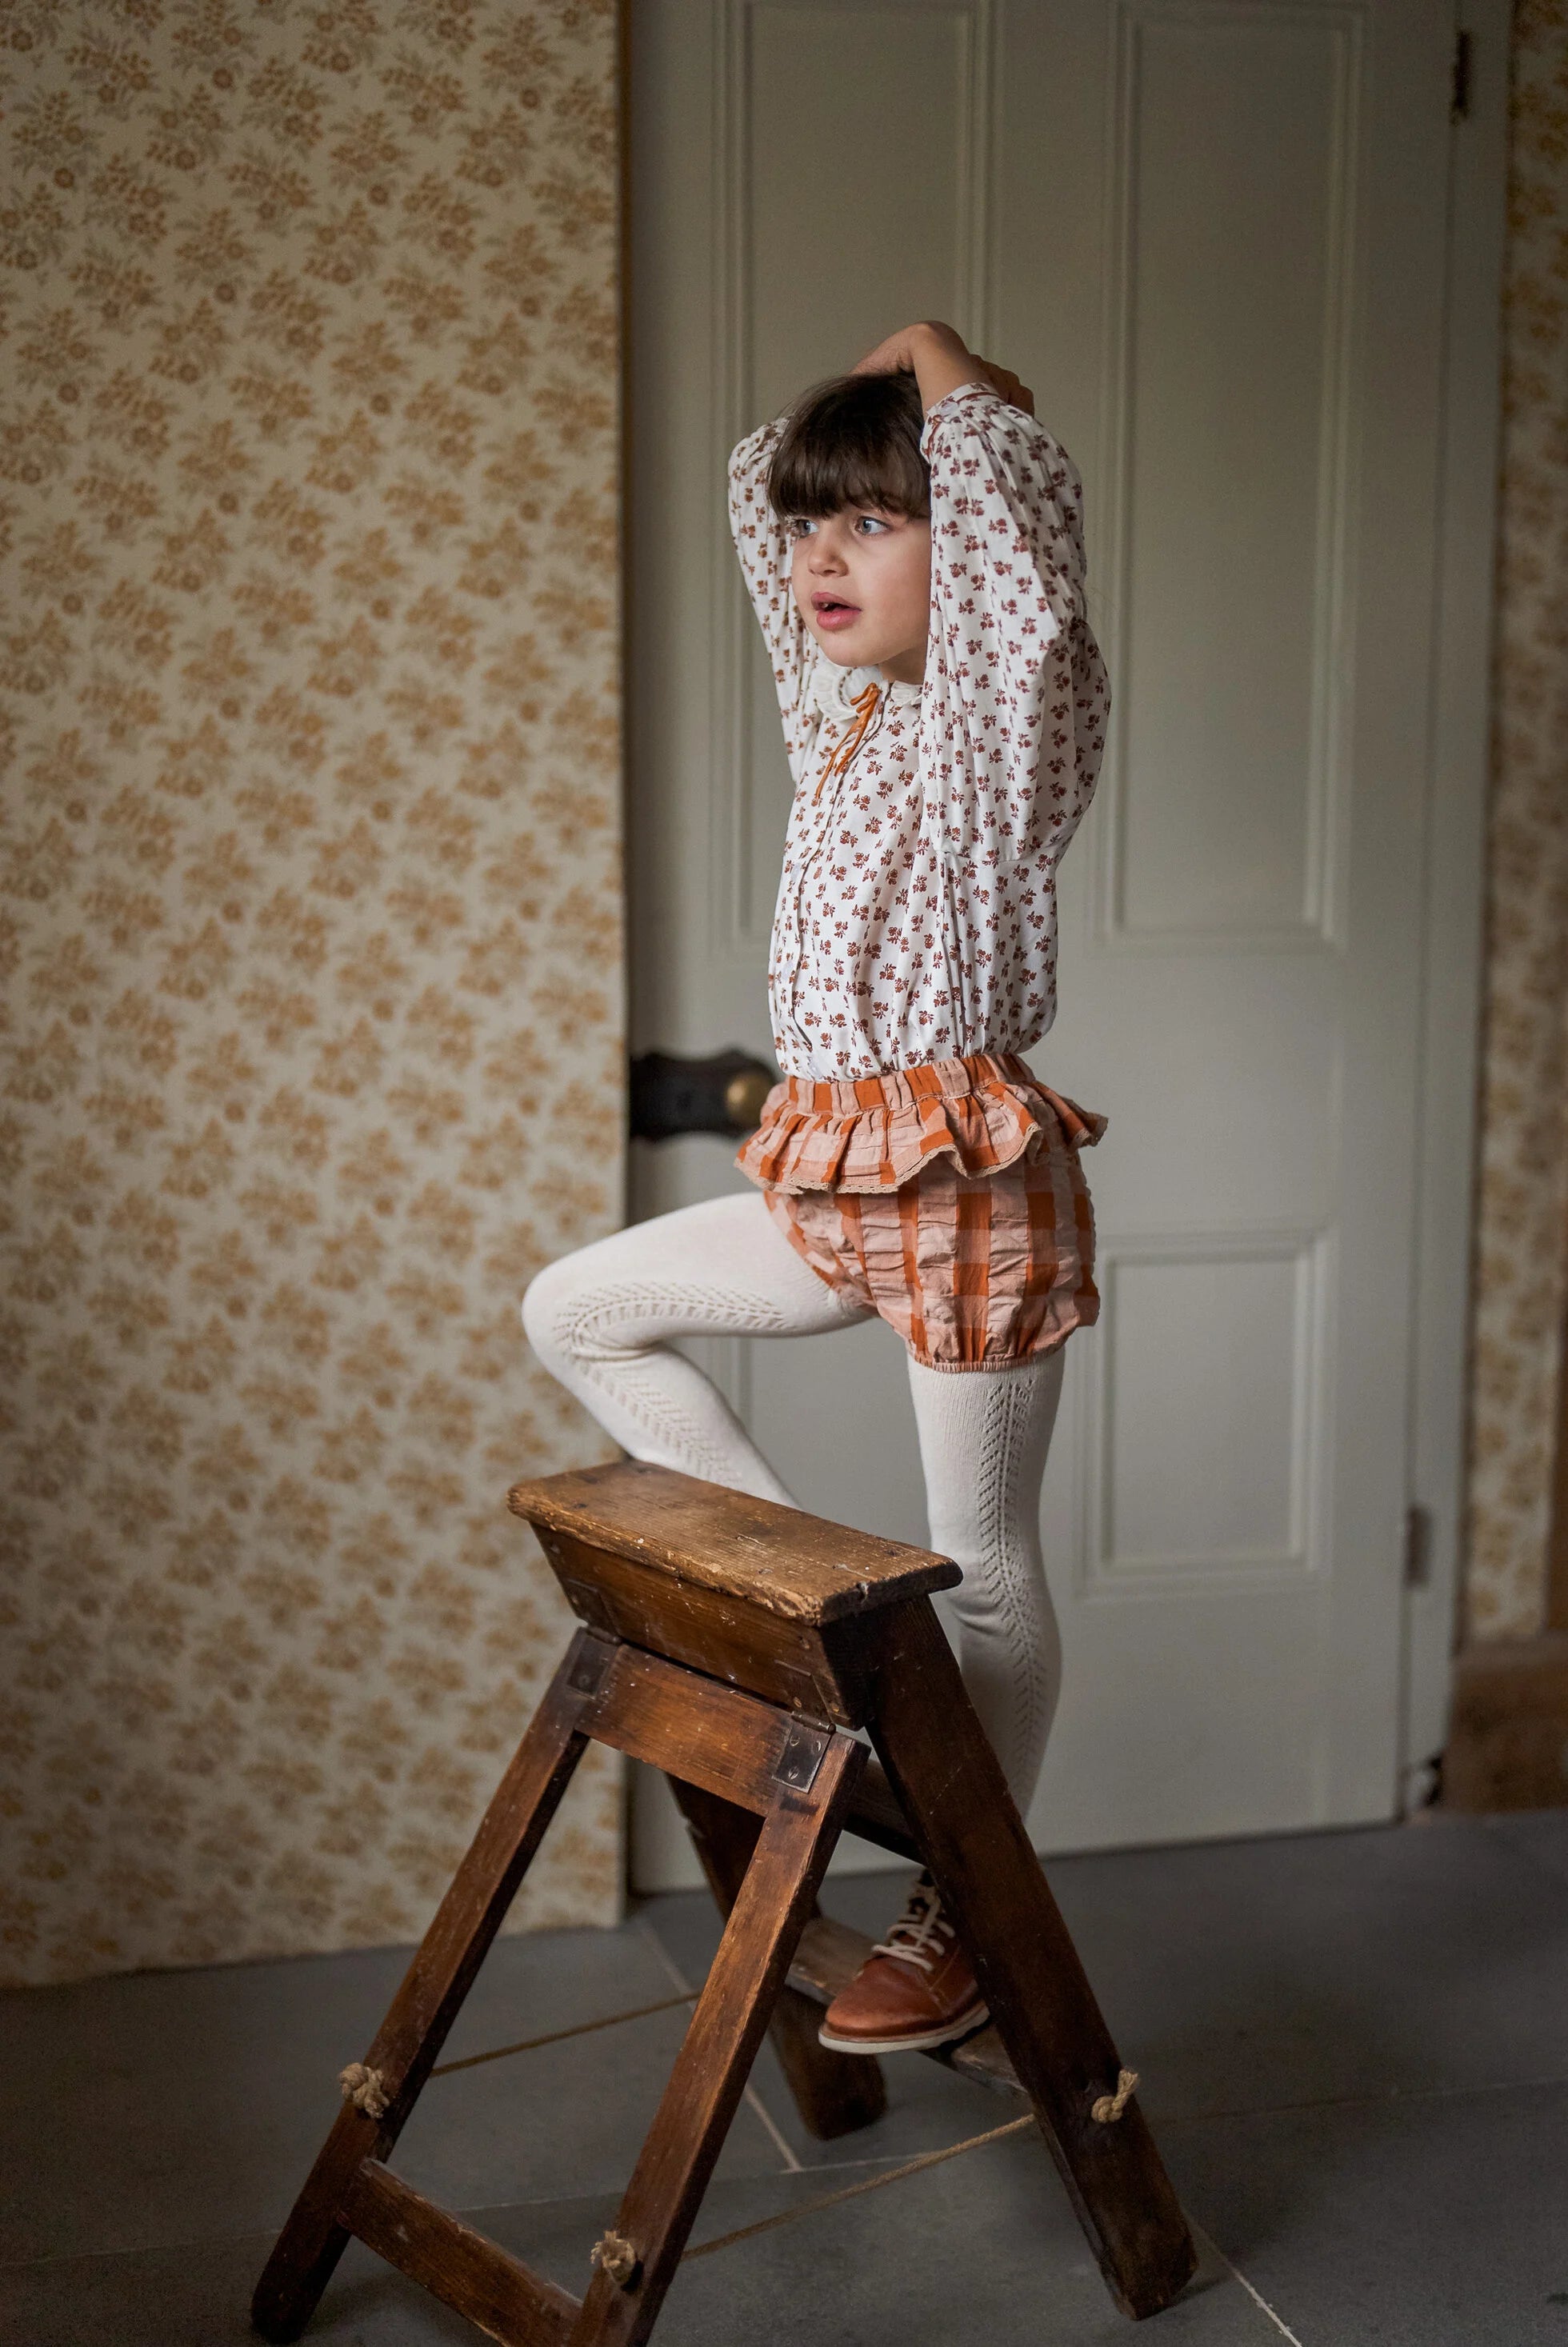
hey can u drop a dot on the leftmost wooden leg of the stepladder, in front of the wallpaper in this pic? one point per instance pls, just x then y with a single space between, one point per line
433 1991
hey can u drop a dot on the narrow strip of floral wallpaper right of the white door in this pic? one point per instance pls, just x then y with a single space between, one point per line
1522 1238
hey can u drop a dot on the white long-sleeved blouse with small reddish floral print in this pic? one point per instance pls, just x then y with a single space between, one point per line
917 912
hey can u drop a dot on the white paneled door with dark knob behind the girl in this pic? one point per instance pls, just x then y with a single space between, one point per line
1212 234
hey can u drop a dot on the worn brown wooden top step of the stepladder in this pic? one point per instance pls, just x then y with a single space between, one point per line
773 1557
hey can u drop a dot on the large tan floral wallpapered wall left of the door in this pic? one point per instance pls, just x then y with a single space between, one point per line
311 931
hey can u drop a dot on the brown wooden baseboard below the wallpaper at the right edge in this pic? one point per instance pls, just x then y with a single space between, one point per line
1508 1745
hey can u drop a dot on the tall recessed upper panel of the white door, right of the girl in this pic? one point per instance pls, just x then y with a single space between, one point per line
1229 285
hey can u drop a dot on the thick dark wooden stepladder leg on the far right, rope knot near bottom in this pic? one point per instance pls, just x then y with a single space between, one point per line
957 1799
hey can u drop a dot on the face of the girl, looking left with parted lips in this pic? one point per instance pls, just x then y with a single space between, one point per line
863 583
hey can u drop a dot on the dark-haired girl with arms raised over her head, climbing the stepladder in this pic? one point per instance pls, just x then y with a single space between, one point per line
912 541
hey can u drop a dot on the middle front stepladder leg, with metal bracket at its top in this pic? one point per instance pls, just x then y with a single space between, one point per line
677 2160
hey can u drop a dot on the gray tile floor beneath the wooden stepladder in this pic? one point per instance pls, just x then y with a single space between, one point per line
1353 2050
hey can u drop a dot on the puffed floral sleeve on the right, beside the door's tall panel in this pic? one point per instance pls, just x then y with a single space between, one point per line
1013 717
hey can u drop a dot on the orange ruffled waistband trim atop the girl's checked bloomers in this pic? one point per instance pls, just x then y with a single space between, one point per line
877 1132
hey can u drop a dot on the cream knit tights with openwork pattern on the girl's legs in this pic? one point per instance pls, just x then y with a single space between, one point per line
604 1320
